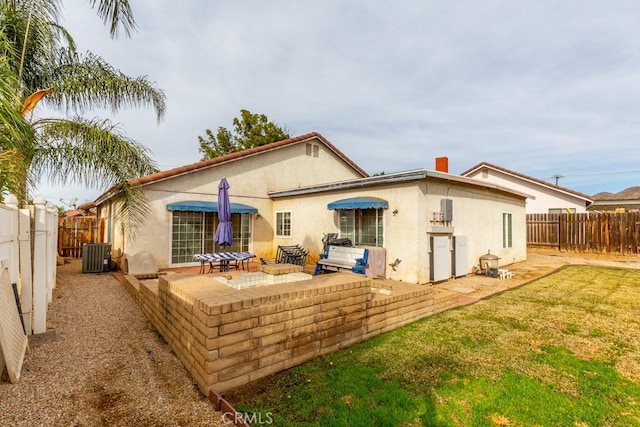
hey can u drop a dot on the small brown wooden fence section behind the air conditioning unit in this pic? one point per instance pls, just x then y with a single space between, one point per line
74 232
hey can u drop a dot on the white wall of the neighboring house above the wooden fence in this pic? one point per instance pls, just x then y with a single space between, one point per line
545 198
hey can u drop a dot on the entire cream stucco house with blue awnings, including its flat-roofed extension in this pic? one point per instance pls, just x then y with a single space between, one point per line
419 225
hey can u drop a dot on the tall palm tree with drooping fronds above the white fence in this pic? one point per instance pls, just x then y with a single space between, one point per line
39 63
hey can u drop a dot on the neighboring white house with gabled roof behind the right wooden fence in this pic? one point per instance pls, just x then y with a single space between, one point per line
544 197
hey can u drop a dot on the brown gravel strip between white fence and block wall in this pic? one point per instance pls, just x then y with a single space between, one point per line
101 364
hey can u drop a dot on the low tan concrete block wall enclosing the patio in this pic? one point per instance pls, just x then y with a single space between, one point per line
227 337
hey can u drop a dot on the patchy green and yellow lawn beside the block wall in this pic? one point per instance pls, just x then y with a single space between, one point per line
561 351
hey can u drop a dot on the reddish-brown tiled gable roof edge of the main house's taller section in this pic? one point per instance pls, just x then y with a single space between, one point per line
231 157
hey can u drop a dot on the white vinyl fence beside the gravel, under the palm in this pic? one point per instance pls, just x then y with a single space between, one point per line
31 266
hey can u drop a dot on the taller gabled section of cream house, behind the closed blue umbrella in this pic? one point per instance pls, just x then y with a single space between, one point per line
183 200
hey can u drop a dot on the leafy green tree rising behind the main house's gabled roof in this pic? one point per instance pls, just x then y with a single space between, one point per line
250 130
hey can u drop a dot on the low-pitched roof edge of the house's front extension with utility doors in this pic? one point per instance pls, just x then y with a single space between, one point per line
411 175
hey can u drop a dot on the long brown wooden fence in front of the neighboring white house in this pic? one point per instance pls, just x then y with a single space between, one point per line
586 232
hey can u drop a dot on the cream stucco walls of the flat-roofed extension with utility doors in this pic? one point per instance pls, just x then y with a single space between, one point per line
477 214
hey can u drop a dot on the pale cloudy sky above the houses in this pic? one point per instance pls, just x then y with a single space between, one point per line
544 88
